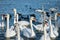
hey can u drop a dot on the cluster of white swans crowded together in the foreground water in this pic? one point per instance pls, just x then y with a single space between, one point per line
28 31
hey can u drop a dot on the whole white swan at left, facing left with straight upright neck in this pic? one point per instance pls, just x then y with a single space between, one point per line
9 33
